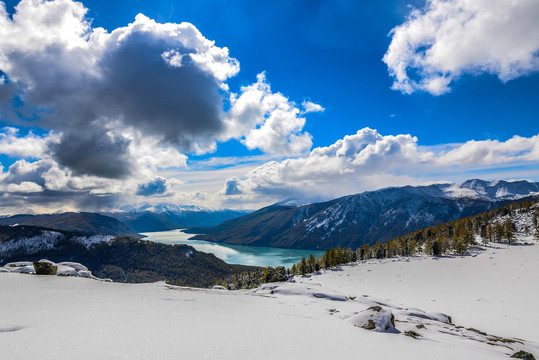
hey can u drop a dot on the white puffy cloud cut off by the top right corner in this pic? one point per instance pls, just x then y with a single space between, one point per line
449 38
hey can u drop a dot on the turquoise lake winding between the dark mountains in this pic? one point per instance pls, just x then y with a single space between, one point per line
235 254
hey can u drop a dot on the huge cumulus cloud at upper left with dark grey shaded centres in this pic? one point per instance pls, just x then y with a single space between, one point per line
163 80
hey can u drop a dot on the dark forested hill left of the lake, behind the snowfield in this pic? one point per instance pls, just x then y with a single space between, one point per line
120 258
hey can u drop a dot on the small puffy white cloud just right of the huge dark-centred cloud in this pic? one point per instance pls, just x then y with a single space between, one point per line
267 121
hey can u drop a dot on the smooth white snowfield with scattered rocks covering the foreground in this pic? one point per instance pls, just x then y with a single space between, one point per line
494 292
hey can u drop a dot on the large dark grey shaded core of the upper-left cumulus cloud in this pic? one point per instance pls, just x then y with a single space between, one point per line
182 105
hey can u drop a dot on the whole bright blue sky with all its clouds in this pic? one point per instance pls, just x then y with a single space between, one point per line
240 104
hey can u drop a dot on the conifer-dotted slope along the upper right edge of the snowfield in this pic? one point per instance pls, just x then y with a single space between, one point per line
507 224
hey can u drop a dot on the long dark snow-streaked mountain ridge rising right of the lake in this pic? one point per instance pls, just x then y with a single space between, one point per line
368 217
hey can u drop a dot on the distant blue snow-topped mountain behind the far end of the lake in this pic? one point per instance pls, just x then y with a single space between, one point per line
162 217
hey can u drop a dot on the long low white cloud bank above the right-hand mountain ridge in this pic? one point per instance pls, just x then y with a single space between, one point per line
368 160
